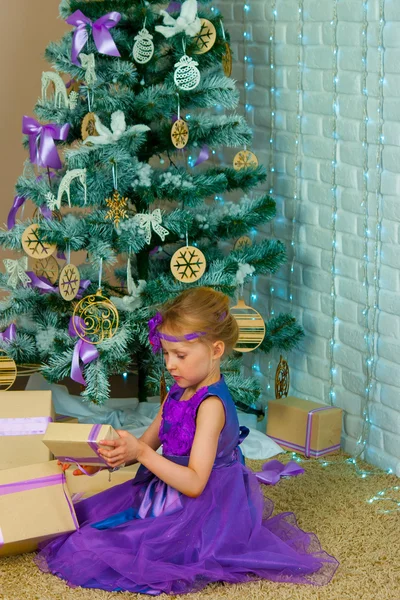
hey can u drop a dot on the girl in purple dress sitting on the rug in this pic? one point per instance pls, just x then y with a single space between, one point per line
196 514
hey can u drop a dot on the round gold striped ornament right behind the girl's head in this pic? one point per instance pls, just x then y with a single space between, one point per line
251 327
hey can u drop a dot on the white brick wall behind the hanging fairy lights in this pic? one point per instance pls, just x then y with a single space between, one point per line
311 289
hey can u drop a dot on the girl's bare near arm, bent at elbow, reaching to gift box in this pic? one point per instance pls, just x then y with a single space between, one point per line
190 480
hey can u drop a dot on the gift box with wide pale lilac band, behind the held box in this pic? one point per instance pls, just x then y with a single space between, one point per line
24 417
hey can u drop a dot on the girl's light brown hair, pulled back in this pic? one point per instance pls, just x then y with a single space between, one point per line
201 309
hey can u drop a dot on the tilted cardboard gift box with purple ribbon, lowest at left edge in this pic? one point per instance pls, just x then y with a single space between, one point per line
35 505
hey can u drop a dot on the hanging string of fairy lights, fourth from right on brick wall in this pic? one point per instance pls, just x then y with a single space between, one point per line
297 143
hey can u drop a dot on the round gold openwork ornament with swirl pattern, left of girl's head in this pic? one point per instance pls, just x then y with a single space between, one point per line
100 318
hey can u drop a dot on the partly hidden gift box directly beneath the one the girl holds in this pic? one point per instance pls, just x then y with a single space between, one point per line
82 486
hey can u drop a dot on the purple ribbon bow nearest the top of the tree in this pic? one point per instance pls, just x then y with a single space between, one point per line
100 30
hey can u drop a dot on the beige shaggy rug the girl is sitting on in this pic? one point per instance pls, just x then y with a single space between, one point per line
330 501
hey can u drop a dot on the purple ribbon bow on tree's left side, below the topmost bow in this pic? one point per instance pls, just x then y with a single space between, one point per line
42 148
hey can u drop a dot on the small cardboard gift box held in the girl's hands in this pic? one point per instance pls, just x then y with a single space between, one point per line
78 442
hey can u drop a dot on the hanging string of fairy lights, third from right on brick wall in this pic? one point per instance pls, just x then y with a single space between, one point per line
334 190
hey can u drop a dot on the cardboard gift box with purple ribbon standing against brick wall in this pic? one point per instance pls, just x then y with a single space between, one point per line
304 426
